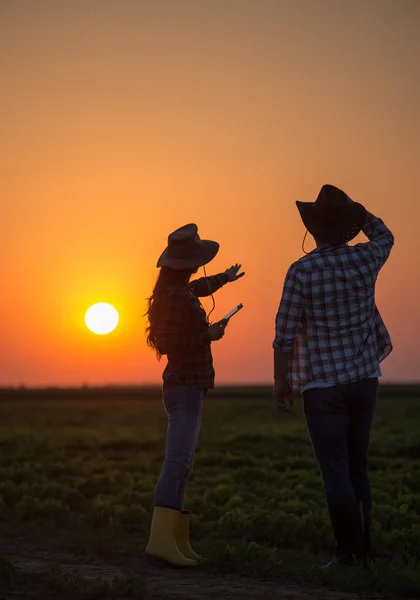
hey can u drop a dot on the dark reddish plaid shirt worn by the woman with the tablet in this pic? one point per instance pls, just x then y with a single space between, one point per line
183 334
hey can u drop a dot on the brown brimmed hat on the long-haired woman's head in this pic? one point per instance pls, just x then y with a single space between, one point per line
186 250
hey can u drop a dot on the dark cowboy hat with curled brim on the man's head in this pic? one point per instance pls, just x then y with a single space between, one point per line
333 218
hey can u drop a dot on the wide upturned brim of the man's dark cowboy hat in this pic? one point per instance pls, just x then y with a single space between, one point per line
329 229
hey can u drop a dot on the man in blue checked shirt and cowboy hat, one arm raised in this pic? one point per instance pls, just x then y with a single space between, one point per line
330 340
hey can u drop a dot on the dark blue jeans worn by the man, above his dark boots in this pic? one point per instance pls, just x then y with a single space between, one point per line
339 421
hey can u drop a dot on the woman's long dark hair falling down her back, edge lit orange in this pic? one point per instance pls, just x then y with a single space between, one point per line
167 278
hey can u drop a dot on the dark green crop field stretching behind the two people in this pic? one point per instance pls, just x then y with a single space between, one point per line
77 470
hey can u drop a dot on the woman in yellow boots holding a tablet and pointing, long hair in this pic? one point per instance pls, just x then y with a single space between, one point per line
178 327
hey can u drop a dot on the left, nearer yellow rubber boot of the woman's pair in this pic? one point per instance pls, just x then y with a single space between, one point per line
162 542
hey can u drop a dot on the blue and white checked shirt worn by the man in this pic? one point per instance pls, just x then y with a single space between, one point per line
327 316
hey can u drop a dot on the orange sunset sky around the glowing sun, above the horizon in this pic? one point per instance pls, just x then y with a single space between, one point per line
123 119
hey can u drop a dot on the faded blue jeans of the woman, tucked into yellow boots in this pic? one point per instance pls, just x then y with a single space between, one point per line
184 405
